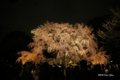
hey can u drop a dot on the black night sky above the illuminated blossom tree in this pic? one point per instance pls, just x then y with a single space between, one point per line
25 15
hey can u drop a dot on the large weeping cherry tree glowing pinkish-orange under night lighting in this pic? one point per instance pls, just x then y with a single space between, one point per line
72 43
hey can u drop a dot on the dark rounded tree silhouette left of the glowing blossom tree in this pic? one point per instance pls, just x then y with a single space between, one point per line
12 43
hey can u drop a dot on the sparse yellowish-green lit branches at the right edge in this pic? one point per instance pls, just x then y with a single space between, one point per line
111 26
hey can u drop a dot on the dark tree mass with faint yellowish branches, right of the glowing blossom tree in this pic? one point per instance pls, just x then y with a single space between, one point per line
107 30
